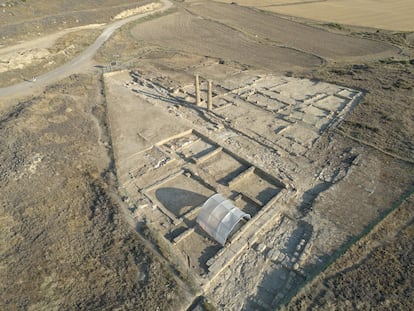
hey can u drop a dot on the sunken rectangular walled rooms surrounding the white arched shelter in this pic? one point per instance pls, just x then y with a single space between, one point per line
199 166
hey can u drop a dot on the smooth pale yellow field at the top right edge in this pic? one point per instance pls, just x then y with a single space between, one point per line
385 14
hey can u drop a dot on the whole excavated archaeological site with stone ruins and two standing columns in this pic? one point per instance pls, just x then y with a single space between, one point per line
192 155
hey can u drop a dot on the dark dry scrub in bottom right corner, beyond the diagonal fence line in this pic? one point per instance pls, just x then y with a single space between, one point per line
373 274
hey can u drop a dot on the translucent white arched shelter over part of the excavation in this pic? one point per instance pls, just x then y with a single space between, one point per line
218 217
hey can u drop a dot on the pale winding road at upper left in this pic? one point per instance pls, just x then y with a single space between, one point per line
79 63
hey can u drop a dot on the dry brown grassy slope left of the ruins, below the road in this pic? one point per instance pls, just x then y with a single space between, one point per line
64 243
